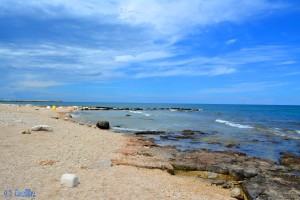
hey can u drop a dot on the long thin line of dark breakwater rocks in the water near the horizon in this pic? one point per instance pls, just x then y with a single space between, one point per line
135 109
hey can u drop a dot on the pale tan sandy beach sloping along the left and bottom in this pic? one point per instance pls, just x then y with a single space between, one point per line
37 161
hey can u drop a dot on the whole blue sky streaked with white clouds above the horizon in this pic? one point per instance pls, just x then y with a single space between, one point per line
167 51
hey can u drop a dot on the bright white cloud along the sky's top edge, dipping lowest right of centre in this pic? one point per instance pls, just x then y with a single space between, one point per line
168 17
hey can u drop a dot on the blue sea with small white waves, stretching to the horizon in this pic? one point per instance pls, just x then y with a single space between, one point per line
257 130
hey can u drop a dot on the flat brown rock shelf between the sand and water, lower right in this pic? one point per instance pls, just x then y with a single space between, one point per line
246 177
